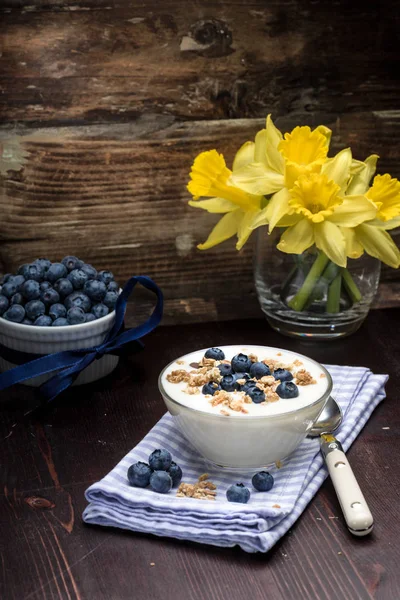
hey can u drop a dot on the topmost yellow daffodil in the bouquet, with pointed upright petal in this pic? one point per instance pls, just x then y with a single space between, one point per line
279 160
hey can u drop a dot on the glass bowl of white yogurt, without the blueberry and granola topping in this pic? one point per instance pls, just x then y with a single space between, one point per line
262 435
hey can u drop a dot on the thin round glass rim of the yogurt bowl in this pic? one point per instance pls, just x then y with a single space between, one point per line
242 417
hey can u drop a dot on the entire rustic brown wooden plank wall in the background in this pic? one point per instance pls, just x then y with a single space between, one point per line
104 105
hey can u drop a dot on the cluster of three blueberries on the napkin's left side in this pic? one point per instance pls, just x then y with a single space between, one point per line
161 473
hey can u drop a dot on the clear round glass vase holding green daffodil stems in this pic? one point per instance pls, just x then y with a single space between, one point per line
306 295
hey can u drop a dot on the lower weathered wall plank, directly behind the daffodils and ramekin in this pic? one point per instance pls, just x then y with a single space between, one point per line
116 196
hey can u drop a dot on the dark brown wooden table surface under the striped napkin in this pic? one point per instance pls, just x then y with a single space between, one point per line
49 458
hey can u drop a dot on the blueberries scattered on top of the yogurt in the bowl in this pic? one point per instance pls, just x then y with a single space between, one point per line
241 367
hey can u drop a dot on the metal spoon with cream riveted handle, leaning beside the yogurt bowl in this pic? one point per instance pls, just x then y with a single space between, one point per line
357 515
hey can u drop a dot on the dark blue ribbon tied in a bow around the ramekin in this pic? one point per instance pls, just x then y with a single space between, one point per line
69 363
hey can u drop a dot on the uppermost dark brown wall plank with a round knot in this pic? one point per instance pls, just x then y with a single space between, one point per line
88 61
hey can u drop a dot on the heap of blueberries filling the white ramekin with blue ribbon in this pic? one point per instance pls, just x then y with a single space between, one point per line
47 294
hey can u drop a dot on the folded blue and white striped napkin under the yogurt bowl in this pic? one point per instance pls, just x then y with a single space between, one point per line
255 526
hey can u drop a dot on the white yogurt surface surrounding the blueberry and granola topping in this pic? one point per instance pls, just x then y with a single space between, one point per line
307 394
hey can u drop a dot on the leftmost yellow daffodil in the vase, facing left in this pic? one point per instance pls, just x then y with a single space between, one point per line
211 178
